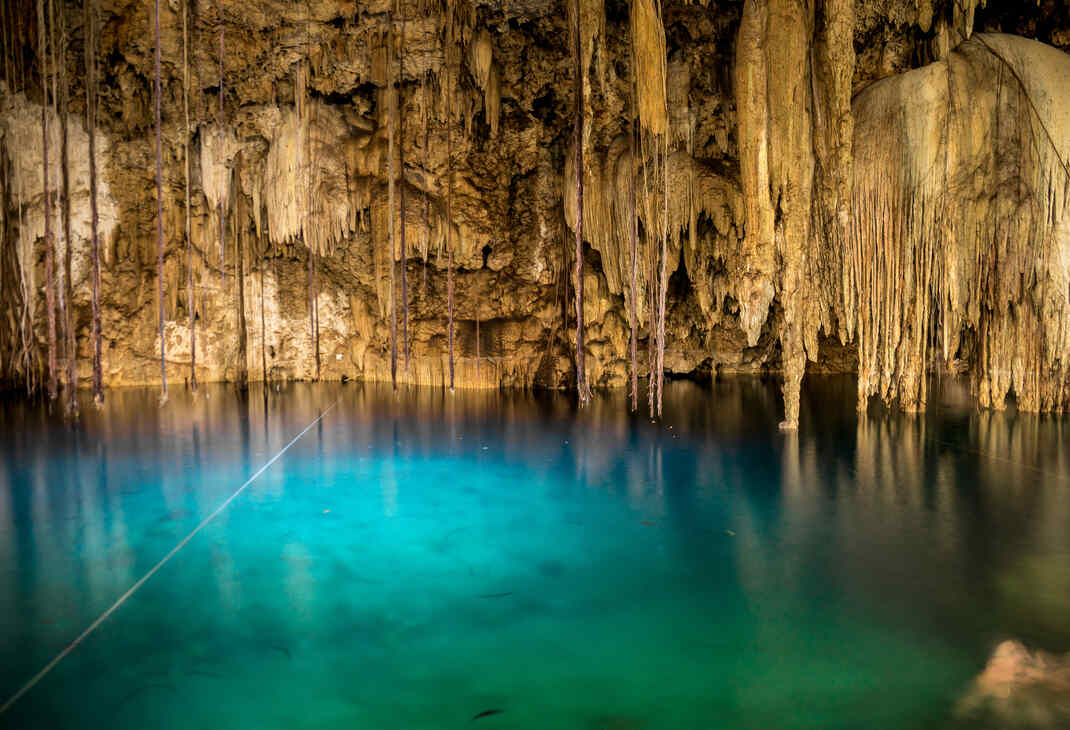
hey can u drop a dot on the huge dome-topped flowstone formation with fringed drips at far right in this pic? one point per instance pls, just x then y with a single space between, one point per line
958 233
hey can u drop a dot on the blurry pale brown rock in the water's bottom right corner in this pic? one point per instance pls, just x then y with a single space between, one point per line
1020 689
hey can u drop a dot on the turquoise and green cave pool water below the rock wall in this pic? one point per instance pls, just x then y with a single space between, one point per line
415 560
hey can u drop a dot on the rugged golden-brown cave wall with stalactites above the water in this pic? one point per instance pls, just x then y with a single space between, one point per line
789 195
